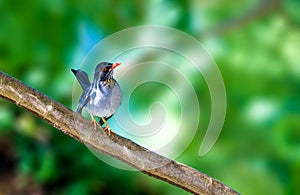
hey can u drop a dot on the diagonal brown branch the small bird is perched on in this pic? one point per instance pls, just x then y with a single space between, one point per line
118 147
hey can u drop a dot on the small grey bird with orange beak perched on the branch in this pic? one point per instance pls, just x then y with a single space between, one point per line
101 97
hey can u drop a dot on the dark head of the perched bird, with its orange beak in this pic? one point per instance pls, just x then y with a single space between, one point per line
104 71
